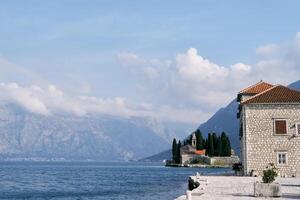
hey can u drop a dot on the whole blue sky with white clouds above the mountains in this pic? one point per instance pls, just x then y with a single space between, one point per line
177 61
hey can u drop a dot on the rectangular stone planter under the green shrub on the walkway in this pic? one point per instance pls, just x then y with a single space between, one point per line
267 189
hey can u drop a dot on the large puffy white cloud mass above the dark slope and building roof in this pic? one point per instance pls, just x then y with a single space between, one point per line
192 82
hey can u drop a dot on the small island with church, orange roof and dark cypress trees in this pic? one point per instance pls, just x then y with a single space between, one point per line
197 151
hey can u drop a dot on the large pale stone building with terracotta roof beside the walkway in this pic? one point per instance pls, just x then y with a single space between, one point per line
270 128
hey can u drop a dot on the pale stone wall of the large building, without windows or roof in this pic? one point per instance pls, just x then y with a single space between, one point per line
261 144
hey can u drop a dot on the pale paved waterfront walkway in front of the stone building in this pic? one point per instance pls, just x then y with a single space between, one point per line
240 188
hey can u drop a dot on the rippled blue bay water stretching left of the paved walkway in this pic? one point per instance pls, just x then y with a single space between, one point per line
85 180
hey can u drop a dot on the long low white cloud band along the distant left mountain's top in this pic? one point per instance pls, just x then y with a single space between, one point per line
51 100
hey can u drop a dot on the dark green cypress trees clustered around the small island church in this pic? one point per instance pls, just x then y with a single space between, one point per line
215 145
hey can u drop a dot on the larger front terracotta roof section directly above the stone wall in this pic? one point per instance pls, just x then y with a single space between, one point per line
276 94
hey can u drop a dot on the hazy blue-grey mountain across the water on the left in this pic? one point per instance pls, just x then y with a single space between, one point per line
31 136
